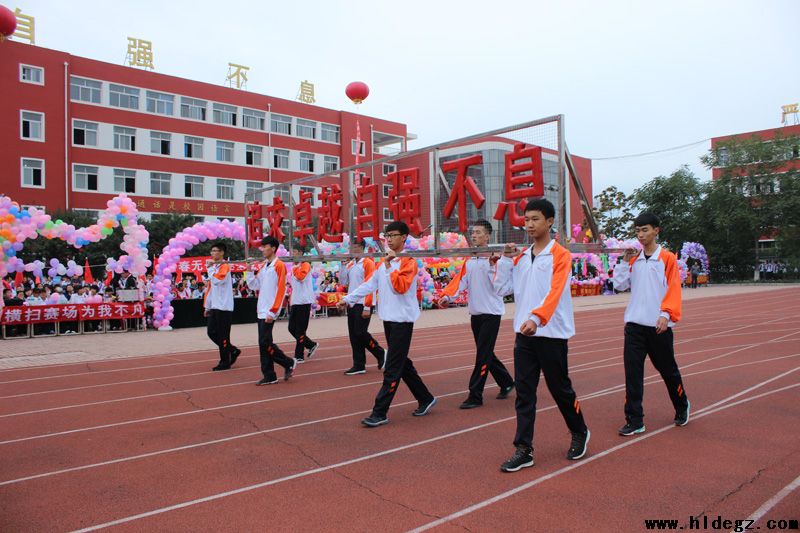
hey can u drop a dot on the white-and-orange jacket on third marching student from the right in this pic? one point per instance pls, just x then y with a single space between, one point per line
476 275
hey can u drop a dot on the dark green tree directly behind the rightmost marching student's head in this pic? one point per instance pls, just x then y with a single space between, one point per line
675 200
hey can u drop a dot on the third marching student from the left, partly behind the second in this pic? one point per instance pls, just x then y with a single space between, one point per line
301 299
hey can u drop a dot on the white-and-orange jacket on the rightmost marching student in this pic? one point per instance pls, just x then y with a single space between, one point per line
655 285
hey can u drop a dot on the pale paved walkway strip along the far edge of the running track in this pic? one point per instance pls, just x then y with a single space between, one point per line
17 353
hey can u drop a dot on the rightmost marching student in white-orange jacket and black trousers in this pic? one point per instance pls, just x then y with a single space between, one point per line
654 307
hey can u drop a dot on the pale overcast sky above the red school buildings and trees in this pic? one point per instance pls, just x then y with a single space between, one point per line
630 77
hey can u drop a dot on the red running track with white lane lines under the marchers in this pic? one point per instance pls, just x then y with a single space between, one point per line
162 443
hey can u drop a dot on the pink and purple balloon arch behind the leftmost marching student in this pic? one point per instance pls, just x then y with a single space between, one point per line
171 254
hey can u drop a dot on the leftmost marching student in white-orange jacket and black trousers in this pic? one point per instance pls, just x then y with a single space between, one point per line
218 307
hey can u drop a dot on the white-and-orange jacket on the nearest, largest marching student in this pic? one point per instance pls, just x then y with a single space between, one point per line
541 290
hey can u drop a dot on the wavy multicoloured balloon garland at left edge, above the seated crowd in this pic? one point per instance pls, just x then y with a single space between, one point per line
17 225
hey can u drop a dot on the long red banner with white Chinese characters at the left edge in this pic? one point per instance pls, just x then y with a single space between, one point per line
37 314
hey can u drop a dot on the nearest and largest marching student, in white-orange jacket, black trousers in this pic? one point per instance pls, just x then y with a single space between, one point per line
543 321
